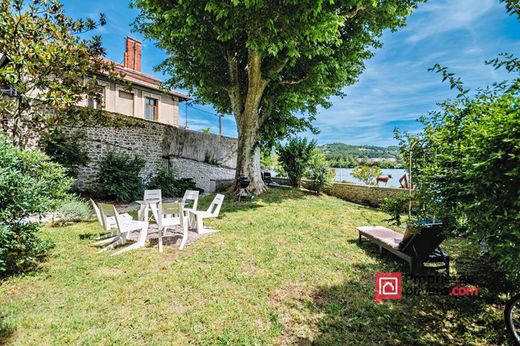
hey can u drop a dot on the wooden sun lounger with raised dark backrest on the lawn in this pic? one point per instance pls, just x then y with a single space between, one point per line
415 248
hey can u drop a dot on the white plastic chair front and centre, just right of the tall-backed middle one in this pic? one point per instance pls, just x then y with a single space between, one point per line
170 215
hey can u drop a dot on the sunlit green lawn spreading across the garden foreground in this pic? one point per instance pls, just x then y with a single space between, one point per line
284 269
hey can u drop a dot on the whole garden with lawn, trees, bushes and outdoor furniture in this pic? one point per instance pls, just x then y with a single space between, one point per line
286 265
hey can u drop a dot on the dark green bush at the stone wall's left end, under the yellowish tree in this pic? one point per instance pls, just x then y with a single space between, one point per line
66 149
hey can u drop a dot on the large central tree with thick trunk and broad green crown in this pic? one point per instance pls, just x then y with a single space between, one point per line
265 61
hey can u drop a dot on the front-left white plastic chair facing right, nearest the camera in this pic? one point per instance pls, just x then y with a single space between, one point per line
125 226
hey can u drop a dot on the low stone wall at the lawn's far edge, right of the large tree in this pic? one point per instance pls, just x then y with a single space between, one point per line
360 194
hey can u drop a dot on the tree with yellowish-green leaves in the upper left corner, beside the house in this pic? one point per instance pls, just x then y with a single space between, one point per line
46 68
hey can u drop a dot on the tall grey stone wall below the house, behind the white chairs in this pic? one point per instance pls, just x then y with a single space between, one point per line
193 154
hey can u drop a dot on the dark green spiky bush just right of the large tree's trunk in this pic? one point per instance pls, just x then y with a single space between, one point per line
295 157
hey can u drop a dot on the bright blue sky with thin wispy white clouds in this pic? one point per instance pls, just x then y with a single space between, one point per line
395 88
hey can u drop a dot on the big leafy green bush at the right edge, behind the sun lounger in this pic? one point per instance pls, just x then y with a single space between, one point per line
467 166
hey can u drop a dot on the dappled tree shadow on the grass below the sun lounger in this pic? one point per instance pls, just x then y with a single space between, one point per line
349 315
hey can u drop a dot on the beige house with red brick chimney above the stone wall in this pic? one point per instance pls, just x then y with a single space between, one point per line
139 95
